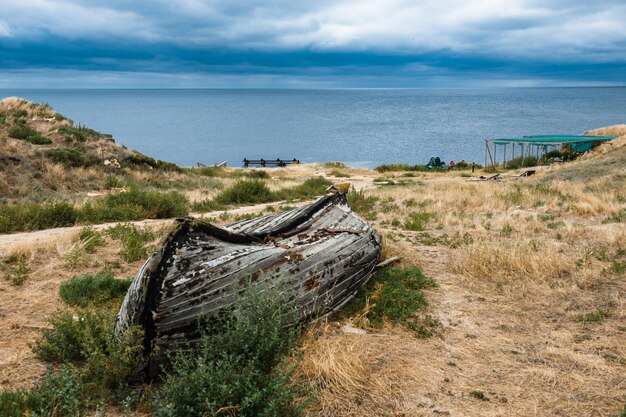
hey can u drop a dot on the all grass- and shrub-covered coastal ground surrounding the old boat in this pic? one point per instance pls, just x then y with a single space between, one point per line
503 291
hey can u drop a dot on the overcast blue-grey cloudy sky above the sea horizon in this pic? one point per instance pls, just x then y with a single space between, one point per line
310 44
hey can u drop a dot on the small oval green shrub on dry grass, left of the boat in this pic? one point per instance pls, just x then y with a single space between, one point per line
94 290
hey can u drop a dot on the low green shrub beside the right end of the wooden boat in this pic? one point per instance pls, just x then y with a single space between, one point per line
393 294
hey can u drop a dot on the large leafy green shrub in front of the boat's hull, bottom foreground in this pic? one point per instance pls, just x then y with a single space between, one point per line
239 367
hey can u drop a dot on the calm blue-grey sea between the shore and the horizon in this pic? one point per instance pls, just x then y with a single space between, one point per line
358 127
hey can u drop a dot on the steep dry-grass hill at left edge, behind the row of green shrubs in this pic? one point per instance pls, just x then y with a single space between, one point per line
43 153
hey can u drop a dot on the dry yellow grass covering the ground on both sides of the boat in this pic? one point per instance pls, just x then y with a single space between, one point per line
520 264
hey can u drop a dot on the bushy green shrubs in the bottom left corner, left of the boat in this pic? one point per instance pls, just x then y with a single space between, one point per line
106 365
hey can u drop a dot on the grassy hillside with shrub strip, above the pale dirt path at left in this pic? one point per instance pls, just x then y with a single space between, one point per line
56 174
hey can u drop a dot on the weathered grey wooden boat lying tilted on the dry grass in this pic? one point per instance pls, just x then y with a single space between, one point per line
321 253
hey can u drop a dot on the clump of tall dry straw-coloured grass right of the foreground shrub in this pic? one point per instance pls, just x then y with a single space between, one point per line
353 374
